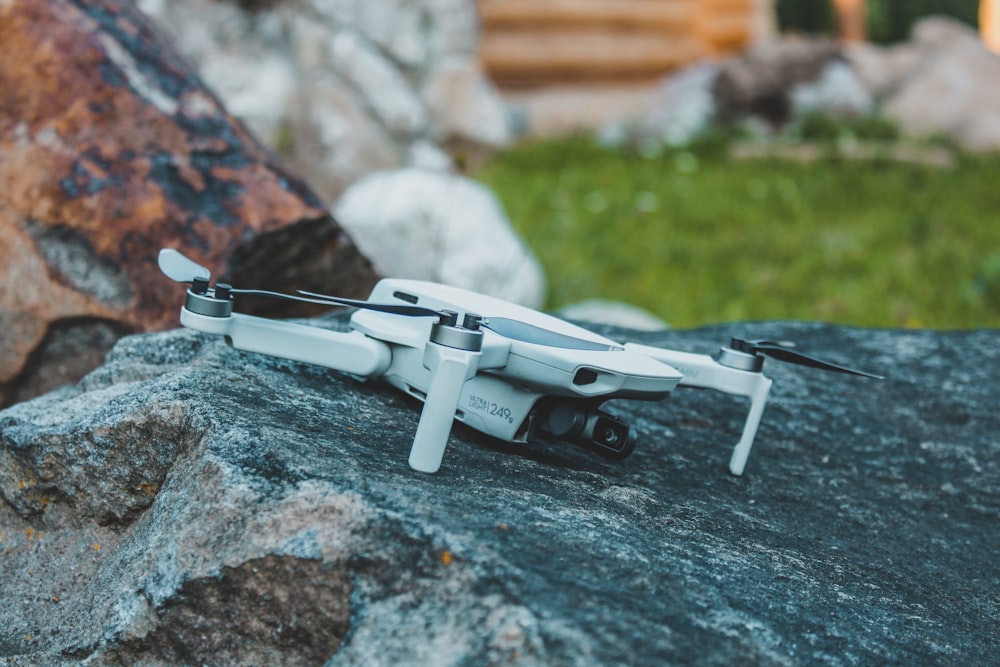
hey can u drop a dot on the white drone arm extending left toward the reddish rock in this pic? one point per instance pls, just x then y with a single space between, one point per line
351 352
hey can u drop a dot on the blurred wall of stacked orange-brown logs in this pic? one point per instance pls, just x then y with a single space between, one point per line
529 43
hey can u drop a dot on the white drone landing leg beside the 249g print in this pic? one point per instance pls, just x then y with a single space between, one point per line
450 368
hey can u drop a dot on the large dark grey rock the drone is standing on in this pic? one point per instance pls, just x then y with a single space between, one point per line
190 504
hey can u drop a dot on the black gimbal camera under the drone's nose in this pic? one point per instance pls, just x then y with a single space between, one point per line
582 425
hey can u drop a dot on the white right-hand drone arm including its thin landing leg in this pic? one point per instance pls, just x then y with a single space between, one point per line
701 370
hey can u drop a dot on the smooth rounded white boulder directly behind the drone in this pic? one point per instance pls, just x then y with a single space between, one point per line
415 223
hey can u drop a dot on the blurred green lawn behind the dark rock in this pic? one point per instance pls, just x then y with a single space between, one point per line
698 238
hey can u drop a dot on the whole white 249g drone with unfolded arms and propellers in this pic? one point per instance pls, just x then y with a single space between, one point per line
506 370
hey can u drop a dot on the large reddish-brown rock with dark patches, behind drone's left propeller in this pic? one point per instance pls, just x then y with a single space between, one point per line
111 148
